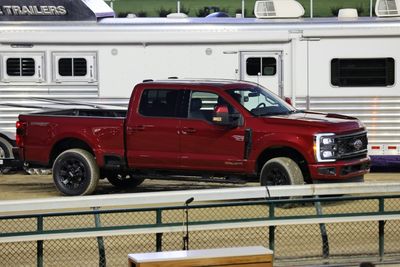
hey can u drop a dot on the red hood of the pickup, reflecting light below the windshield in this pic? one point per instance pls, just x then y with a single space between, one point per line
326 122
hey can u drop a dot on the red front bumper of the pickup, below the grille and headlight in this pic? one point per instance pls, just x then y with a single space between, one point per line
340 170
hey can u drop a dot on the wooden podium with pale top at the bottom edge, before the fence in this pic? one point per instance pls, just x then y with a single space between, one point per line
238 256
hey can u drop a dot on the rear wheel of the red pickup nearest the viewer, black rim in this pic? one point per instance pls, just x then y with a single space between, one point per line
75 172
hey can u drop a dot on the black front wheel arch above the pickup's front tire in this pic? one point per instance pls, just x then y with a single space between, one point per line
284 151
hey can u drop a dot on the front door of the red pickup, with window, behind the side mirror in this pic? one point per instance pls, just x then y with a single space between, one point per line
206 146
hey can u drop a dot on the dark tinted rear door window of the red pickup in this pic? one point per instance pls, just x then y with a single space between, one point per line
160 103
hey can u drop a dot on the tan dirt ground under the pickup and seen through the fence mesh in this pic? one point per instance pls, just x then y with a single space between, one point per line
343 238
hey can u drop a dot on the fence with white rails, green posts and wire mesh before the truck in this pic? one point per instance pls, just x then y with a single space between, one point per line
314 228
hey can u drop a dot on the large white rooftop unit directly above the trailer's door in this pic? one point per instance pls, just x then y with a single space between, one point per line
278 9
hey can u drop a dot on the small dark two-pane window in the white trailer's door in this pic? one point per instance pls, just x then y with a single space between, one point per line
264 66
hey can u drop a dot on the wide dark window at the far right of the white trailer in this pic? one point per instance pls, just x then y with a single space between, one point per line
362 72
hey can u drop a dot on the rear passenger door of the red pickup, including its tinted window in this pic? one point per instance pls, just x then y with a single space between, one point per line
152 130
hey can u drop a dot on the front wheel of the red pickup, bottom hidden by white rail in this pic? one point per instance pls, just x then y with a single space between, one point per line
281 171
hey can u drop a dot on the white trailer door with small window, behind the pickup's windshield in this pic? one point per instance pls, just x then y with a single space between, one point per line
264 68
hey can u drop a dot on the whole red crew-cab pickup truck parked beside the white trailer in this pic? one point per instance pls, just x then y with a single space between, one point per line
199 128
